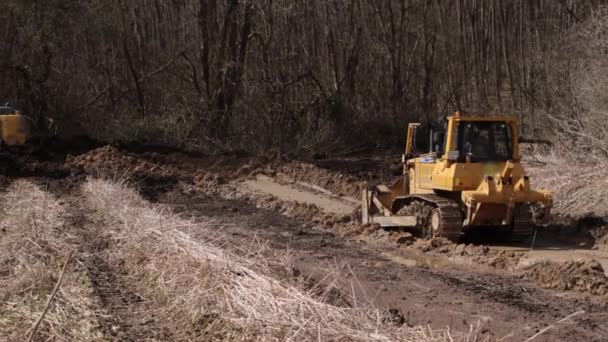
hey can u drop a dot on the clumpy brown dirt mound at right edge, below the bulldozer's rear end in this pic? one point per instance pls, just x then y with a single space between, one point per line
579 275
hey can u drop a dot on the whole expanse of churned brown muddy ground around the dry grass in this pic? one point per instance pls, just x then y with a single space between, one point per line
307 210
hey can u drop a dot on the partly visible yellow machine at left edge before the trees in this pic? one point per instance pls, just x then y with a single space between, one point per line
15 128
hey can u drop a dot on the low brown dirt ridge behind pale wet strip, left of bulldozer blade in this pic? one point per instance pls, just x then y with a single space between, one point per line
338 183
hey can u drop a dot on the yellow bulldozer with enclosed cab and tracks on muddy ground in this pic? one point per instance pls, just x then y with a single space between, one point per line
470 178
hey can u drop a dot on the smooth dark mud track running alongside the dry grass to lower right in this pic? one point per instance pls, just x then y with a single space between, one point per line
439 298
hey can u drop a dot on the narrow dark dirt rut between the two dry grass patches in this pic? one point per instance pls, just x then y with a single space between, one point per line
121 312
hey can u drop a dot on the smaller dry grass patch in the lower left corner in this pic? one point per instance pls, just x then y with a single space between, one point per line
33 245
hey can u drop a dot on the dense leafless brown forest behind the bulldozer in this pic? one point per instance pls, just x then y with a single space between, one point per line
308 75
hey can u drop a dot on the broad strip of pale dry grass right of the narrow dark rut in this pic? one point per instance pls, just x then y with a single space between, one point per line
202 291
